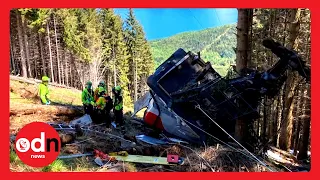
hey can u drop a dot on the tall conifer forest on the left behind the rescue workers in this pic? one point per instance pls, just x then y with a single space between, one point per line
72 46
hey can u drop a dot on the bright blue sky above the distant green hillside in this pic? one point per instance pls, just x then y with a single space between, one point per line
164 22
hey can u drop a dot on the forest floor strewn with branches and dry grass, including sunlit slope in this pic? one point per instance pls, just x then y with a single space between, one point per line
25 108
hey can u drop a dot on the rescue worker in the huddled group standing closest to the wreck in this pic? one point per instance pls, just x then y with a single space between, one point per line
118 105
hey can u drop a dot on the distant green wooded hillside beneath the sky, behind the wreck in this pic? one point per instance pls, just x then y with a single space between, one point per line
215 44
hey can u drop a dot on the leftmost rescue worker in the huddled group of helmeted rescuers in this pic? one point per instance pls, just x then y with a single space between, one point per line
87 98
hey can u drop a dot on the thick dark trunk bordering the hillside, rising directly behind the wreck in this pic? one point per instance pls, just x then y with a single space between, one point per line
241 131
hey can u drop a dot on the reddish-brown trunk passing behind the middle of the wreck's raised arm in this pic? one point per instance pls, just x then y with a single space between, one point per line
286 133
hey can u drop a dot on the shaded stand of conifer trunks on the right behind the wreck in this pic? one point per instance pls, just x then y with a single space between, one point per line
285 121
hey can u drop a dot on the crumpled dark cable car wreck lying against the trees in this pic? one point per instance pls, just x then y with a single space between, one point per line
185 91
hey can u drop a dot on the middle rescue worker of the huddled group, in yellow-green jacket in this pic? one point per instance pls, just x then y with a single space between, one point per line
102 107
